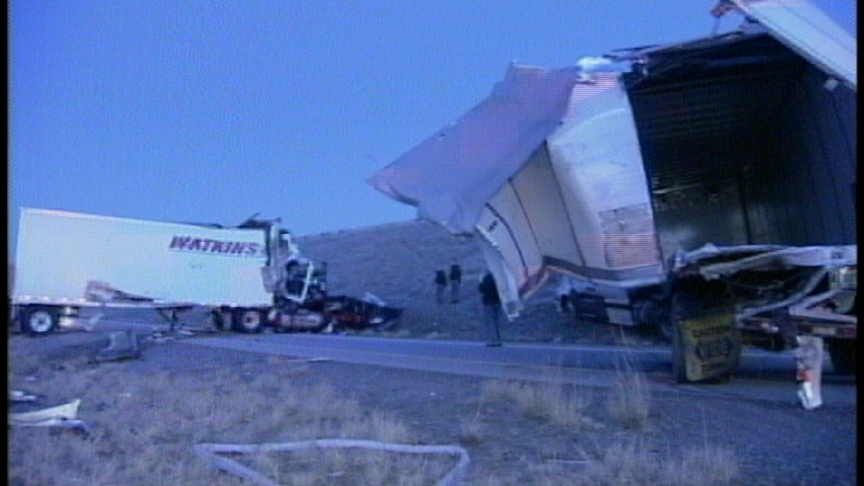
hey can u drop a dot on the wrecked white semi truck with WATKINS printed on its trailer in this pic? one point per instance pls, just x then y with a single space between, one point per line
249 277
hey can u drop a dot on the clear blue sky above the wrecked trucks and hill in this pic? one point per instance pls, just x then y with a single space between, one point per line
211 111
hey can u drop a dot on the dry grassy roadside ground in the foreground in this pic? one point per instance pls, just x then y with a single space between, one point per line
144 425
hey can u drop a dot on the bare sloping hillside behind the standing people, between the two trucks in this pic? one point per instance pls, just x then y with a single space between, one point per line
397 262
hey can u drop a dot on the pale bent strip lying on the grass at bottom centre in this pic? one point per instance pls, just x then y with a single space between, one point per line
210 452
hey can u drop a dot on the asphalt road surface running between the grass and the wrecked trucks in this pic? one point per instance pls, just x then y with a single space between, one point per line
761 376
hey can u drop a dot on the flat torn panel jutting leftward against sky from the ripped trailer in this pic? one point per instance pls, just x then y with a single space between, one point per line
453 173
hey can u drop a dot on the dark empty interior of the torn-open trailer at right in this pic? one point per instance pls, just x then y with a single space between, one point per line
750 138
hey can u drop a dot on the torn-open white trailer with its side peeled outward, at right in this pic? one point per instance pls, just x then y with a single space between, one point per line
707 187
